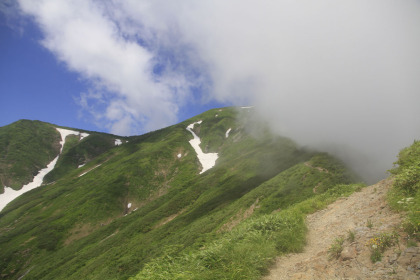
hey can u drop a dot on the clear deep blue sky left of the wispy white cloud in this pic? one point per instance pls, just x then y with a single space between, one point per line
33 85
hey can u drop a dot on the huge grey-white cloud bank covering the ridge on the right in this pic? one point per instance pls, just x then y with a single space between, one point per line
329 74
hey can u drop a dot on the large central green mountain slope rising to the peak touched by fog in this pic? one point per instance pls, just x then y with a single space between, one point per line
120 211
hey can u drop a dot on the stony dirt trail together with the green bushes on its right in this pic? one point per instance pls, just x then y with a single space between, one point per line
372 234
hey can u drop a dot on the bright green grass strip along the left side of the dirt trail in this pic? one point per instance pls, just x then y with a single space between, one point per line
247 251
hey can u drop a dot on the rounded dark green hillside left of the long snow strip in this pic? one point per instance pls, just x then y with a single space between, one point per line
25 148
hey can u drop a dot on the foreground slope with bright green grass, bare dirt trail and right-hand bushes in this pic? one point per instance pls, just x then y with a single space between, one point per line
355 237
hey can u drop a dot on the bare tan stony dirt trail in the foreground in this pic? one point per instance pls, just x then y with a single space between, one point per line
353 213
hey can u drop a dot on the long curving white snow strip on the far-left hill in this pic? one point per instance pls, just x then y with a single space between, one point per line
10 194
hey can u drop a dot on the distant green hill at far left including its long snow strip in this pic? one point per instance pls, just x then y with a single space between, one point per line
27 148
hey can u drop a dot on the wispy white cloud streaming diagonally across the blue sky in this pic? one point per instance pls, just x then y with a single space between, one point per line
84 36
